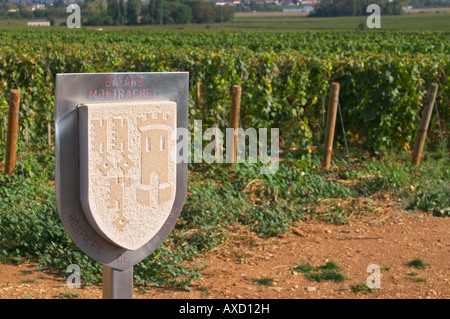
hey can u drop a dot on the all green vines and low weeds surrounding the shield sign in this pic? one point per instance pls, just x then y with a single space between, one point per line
285 79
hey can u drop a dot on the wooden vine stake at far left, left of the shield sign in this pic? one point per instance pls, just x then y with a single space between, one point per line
11 137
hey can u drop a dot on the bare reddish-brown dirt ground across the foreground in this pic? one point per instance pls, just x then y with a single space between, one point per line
390 240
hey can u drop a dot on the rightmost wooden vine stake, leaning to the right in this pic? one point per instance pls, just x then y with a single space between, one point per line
424 123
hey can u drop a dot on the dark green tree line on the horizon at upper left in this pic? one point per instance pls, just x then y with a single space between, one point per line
130 12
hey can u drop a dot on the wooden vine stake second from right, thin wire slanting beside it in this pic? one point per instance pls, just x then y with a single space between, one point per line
331 123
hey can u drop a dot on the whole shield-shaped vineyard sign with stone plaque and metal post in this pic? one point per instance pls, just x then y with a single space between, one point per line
120 185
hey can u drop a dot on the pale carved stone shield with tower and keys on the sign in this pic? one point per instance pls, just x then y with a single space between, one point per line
131 168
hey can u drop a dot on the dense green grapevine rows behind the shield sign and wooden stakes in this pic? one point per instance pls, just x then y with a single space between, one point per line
283 84
